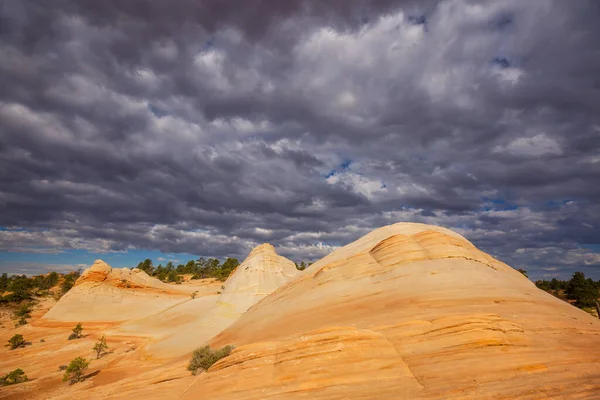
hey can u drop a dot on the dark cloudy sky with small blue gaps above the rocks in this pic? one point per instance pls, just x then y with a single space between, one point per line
173 130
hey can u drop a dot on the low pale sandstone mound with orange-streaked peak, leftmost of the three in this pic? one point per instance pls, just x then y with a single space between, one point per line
107 295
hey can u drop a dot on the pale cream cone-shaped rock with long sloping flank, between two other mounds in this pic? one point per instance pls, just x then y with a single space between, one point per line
261 273
